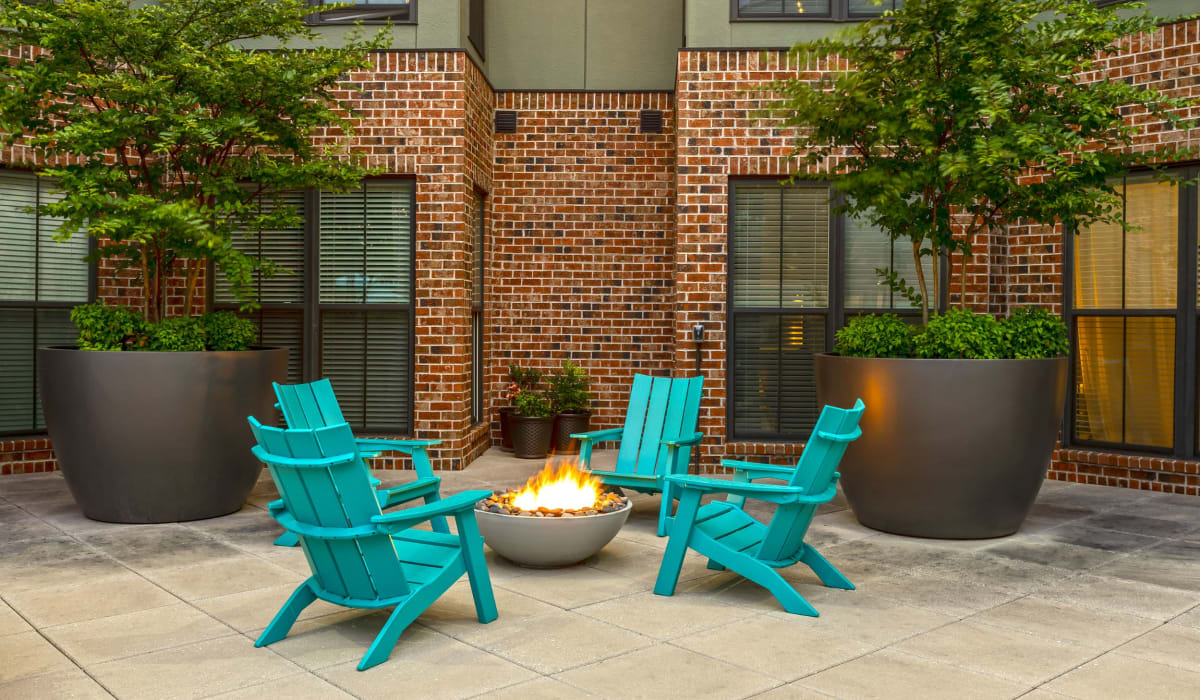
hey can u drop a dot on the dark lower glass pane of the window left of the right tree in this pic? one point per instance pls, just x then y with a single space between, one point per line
775 385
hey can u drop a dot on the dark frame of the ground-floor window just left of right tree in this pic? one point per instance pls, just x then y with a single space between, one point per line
836 313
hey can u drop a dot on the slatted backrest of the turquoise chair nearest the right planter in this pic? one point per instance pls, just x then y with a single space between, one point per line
814 472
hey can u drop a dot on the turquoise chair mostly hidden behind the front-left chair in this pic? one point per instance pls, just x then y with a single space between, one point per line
314 405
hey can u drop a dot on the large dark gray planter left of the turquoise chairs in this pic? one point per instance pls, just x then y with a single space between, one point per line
155 436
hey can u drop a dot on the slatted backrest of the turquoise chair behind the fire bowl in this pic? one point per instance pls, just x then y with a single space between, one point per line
659 409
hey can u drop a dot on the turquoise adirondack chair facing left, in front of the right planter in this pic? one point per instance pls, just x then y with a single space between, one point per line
730 539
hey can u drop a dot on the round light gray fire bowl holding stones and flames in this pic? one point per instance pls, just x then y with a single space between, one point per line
545 543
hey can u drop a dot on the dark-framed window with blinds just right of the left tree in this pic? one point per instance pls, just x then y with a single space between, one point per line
344 307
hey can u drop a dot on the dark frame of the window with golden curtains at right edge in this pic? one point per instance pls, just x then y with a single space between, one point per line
1185 315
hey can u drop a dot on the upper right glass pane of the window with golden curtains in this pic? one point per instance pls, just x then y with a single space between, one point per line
1153 248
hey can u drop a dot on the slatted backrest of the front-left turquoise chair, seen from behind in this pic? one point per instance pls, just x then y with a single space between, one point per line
334 496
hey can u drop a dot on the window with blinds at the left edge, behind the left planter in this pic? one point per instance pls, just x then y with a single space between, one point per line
40 282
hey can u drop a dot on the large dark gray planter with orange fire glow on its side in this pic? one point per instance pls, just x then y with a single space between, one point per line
952 450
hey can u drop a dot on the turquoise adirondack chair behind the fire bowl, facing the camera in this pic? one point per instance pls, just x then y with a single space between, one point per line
656 441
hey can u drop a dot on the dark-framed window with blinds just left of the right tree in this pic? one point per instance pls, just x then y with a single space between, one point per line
796 274
